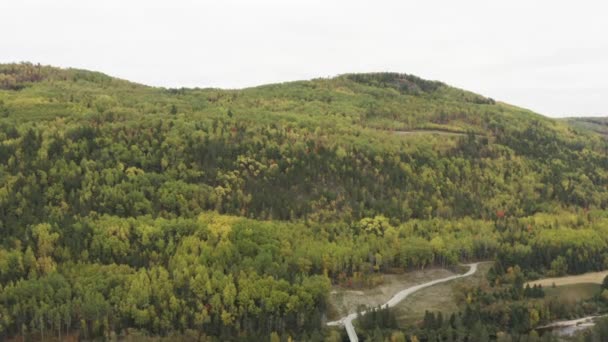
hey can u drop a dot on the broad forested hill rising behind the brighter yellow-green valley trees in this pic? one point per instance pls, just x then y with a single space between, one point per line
320 149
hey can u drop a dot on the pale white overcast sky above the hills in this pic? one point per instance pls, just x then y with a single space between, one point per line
548 56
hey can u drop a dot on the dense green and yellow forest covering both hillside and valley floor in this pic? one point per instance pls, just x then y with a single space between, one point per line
227 214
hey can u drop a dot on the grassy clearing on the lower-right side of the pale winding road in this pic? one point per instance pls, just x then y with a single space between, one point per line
441 297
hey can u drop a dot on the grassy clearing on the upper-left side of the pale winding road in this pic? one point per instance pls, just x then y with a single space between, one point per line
344 301
